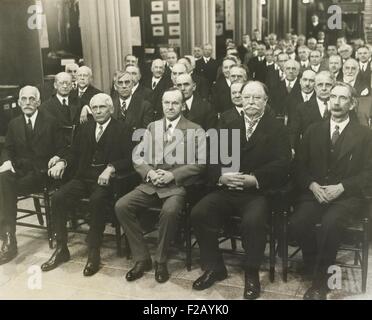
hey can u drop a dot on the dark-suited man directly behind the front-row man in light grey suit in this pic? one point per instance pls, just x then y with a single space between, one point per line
196 109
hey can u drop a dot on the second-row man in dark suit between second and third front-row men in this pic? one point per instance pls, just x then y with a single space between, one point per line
134 111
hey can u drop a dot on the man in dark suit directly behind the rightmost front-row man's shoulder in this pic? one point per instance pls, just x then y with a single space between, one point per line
313 110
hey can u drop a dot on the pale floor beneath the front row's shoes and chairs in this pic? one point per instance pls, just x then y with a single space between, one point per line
20 279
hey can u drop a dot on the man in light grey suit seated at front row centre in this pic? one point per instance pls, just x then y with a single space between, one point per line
162 183
